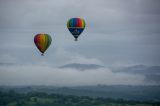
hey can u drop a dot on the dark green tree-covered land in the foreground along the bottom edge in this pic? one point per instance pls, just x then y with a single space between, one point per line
13 98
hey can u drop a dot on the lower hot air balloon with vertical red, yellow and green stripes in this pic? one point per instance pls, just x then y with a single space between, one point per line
42 41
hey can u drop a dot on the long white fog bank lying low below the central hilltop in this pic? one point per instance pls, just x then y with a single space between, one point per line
47 75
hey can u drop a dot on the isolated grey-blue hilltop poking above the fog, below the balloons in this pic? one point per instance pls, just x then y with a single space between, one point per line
82 67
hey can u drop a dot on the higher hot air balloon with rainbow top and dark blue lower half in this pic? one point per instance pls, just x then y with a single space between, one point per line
76 26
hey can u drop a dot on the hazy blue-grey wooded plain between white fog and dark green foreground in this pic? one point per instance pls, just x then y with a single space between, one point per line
126 92
